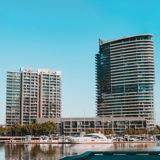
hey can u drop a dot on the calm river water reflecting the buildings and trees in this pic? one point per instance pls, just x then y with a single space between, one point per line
55 151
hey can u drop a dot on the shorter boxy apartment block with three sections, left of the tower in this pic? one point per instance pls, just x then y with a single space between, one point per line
30 95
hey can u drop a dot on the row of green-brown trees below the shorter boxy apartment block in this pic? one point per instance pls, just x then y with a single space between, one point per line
30 129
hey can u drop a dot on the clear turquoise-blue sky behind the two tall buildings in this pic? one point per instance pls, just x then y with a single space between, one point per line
63 35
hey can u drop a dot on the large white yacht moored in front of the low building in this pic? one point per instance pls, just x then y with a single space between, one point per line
92 138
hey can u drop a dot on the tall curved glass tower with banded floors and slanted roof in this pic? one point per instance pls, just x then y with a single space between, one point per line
125 78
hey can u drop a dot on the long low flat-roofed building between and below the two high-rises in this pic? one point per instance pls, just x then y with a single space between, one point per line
71 126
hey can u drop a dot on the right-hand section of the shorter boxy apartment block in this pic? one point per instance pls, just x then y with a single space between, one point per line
50 94
